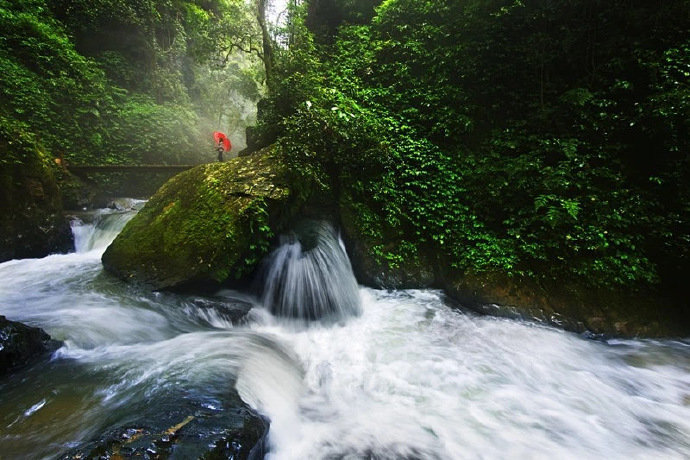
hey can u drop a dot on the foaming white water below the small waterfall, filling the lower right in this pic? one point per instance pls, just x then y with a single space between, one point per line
412 378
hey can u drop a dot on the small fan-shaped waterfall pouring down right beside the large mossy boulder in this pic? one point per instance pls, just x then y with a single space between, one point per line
309 276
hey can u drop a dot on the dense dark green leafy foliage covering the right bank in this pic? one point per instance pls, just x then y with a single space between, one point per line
544 140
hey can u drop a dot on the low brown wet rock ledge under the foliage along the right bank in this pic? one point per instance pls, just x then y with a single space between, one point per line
568 306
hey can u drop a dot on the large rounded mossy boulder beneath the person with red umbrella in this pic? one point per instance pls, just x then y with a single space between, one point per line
209 224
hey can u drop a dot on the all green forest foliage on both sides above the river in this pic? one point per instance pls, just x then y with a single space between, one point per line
545 141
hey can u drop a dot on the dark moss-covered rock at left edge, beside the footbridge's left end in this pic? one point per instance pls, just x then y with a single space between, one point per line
32 223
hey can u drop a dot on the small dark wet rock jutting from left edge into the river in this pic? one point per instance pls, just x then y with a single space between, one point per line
21 344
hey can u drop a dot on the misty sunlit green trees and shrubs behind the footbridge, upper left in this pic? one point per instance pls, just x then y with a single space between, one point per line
125 81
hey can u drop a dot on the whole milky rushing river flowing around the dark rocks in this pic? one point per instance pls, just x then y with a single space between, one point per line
409 376
